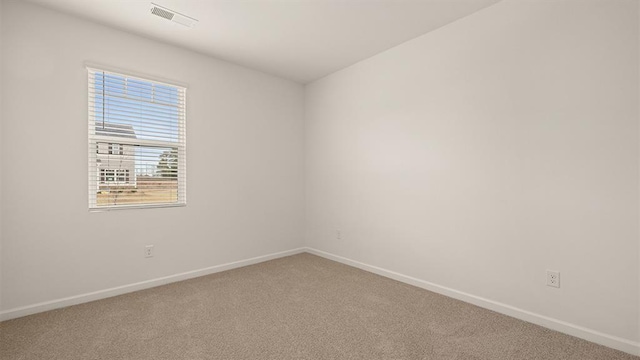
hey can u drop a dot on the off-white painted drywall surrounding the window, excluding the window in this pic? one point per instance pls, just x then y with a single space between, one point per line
244 161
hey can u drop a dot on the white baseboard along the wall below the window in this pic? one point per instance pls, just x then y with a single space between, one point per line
102 294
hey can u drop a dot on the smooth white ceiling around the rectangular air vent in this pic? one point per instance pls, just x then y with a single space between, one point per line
301 40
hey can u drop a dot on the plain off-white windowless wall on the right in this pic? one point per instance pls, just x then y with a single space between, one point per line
480 155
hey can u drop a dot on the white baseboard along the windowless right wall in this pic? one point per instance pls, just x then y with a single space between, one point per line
597 337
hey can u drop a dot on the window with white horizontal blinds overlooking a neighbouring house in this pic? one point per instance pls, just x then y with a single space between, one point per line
137 142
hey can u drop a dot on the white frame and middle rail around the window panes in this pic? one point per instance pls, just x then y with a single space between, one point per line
94 177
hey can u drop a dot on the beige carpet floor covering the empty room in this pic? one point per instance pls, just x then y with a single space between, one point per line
298 307
